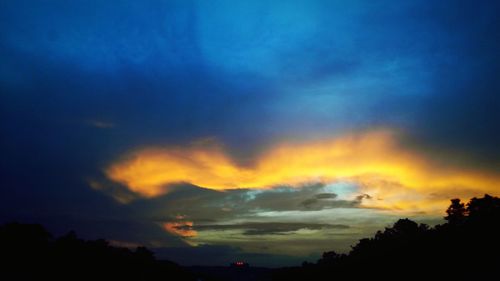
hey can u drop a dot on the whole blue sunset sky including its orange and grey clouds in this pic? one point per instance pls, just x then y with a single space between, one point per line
268 131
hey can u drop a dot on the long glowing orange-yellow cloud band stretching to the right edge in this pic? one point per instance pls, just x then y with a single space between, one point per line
372 159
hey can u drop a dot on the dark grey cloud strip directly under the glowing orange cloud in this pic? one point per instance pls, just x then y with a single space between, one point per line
201 205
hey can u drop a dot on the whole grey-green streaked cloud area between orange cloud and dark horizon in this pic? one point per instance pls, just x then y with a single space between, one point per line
241 218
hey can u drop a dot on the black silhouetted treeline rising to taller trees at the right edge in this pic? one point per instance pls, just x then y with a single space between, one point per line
467 246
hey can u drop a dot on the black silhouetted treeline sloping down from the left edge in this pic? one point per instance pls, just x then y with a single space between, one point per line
29 252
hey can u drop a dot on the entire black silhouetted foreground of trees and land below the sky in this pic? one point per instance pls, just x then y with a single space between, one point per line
466 247
